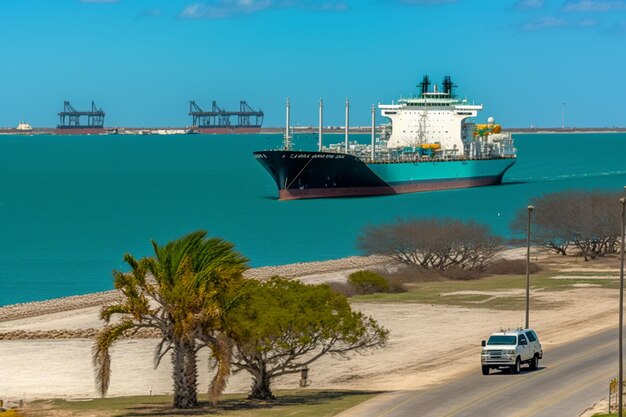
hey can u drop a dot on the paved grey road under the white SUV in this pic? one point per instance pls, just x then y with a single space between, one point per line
571 378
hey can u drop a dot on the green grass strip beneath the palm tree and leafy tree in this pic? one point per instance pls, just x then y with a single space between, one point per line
303 403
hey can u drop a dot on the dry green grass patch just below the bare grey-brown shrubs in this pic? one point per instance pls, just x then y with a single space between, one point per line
447 292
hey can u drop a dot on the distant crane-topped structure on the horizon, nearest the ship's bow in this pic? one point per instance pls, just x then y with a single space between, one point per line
219 120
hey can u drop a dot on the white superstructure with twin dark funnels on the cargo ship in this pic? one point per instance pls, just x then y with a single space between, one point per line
437 118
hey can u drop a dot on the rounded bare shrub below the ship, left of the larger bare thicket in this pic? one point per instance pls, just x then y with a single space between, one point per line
432 243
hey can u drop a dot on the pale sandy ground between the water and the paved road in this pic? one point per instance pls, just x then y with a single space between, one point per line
45 350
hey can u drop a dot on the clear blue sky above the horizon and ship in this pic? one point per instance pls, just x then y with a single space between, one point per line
143 60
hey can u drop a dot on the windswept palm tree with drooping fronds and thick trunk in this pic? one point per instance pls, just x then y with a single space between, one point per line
182 293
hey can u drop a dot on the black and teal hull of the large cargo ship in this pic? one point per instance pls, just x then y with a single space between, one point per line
300 175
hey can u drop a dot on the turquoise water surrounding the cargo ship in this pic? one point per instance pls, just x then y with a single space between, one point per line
70 207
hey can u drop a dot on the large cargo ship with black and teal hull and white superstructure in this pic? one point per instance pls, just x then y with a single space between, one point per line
430 143
